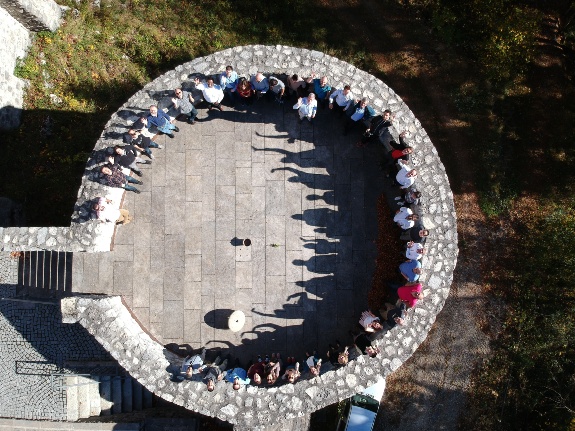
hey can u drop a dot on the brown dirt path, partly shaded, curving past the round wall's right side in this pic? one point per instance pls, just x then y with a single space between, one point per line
429 391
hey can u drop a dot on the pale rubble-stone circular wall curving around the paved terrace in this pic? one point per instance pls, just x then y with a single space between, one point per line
251 407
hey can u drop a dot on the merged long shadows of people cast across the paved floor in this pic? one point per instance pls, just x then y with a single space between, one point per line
326 301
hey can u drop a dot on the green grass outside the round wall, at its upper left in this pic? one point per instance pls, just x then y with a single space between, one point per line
83 72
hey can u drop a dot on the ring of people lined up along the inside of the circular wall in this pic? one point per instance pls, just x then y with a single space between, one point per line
309 94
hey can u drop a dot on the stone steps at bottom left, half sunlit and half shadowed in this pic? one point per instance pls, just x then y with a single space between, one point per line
89 395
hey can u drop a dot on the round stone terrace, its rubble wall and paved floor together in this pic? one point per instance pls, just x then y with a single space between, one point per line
304 194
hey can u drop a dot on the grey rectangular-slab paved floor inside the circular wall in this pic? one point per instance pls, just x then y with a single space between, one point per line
304 194
